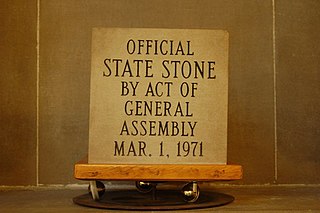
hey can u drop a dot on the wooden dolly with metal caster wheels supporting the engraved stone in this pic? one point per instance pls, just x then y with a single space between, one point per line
148 175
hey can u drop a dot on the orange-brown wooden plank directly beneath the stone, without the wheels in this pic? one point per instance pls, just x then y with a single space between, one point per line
161 172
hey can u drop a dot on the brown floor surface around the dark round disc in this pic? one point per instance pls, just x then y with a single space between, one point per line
247 198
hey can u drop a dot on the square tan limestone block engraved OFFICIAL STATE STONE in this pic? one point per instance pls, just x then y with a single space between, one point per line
158 96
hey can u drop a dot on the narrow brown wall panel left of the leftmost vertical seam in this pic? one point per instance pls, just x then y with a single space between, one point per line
18 92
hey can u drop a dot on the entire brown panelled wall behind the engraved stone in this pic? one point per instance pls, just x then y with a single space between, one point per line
274 90
